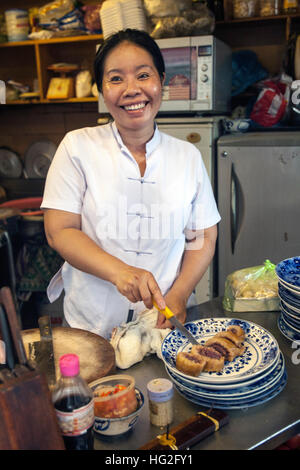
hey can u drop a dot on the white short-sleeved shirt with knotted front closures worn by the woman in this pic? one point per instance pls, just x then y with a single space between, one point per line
140 220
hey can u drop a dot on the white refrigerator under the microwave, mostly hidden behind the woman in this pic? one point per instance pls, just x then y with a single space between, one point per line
203 132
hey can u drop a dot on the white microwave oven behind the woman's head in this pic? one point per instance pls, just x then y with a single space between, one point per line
198 76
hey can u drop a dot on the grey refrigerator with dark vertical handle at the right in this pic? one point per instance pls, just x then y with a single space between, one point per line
258 194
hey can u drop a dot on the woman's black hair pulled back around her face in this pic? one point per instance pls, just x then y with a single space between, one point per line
140 38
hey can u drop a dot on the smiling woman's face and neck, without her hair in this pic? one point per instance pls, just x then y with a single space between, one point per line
132 91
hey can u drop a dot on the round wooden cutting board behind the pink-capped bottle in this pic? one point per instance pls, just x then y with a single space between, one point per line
96 354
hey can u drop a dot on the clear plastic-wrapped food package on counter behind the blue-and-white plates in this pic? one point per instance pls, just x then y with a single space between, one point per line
252 289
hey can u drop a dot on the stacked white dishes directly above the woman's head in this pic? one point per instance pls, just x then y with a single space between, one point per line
117 15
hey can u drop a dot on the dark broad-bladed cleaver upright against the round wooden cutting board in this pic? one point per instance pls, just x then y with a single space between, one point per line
41 352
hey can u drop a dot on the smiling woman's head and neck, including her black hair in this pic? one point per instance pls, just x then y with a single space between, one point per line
130 72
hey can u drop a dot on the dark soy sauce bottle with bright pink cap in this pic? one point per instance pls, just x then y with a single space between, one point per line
74 405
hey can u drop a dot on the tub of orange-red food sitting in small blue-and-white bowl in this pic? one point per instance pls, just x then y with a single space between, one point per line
115 396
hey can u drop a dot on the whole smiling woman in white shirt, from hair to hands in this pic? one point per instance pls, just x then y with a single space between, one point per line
108 189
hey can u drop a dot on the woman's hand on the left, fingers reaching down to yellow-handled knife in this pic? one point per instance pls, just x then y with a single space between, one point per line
138 284
